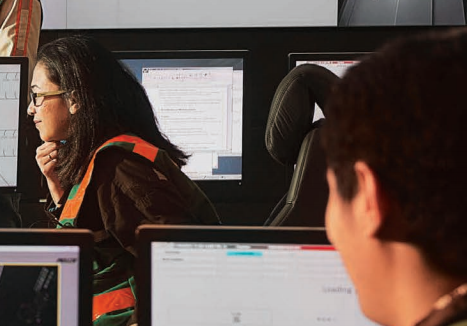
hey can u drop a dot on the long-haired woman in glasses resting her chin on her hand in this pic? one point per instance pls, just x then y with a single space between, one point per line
107 165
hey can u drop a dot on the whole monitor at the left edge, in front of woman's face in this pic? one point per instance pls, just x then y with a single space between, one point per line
13 106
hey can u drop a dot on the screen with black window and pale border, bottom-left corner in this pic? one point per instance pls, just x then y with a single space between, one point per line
30 276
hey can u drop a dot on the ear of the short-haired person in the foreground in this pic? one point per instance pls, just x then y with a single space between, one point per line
370 207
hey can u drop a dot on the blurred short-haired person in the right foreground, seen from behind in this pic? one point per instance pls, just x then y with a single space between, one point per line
395 139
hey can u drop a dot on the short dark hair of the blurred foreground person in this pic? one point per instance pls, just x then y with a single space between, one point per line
402 111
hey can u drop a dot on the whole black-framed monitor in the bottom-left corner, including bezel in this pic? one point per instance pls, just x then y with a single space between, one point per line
46 277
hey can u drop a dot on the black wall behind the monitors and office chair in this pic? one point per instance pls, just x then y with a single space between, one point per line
265 181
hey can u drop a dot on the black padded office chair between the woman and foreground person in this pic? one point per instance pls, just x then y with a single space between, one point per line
293 139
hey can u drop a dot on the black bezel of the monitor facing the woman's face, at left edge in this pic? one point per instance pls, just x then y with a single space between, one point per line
21 182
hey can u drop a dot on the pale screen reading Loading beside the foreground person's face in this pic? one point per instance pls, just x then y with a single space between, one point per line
250 284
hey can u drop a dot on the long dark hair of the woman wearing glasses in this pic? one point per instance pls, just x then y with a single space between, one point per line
109 99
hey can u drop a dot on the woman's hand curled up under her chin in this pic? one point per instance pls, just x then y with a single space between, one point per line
46 158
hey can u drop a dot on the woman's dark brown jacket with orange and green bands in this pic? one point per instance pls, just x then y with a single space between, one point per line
126 190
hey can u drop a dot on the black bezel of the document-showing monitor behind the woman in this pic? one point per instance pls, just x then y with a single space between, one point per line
211 187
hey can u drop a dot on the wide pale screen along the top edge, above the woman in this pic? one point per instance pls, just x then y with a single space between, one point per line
123 14
